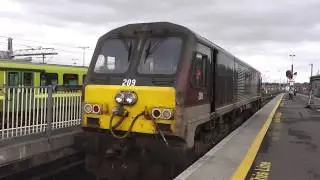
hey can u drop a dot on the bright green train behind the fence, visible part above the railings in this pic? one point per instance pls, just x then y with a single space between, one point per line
22 73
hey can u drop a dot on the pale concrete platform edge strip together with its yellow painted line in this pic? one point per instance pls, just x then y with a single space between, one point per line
223 160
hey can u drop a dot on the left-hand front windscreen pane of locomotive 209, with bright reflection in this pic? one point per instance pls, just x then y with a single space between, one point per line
114 56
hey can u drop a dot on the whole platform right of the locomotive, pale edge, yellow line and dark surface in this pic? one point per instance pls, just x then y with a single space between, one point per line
280 141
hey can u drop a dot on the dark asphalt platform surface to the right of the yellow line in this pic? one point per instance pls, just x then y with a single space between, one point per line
291 147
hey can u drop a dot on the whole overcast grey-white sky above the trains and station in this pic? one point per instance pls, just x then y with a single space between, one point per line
261 33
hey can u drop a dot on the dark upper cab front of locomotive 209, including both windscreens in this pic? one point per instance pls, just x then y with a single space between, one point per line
148 57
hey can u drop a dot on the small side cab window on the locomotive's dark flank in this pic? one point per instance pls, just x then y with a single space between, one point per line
199 70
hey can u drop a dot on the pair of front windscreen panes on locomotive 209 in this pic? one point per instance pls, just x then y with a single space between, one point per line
159 55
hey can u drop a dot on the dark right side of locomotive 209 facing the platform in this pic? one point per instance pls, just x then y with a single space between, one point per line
229 87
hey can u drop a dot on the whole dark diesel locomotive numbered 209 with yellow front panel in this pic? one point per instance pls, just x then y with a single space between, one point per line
159 87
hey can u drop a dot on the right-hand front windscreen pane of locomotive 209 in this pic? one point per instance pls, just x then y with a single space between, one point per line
160 55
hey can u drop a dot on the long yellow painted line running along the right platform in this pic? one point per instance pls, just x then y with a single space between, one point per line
246 163
